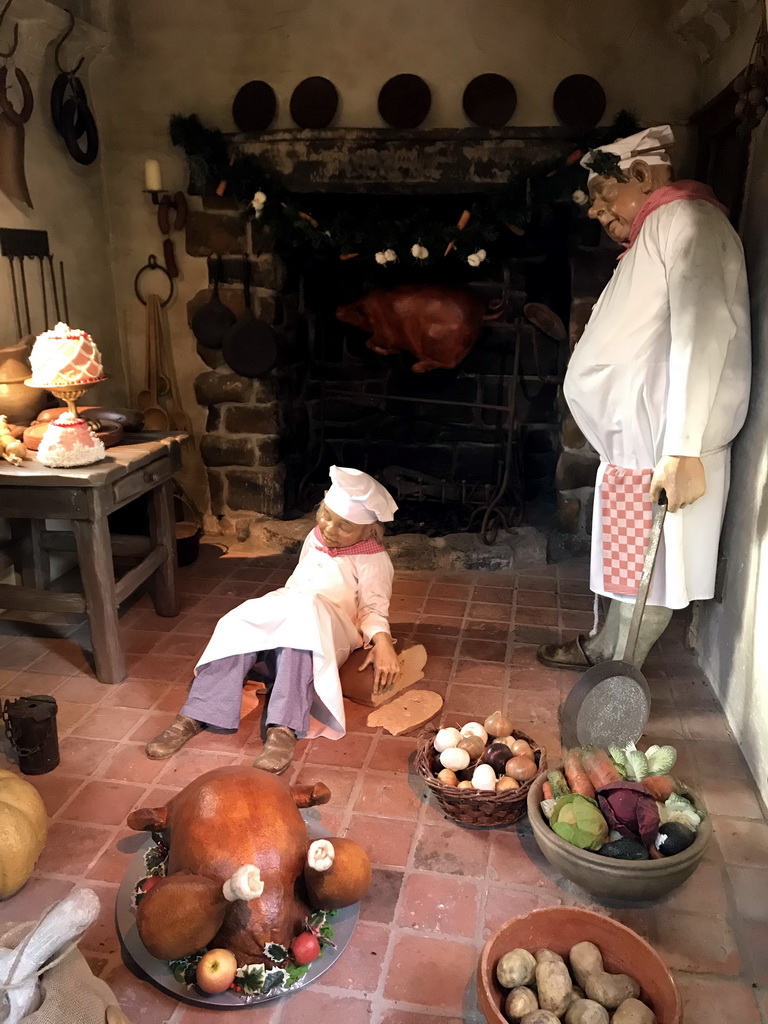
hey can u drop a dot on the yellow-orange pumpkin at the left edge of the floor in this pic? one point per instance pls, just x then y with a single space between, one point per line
24 828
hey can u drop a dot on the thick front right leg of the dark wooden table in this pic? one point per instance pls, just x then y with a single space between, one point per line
98 574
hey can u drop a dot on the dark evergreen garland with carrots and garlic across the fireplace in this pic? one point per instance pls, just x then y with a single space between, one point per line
219 166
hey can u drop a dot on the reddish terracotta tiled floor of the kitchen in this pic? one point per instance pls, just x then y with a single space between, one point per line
439 890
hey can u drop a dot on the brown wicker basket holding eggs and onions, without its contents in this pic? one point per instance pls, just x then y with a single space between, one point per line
473 807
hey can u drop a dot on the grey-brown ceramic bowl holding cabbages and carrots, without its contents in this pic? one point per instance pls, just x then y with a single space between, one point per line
628 880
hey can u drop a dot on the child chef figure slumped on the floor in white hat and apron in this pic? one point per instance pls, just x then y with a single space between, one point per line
336 601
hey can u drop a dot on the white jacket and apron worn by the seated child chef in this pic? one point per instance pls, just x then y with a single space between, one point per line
330 607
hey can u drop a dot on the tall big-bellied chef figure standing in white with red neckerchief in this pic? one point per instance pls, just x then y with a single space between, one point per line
659 385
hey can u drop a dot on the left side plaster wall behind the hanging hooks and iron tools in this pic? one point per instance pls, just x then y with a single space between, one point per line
69 199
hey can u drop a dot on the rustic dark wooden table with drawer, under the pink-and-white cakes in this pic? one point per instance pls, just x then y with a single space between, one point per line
30 494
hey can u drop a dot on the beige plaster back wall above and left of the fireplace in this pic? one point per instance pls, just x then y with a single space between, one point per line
192 57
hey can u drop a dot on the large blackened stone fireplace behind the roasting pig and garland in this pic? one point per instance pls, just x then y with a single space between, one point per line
476 448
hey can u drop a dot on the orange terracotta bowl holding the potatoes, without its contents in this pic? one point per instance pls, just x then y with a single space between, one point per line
560 928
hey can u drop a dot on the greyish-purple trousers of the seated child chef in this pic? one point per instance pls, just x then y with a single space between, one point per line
217 694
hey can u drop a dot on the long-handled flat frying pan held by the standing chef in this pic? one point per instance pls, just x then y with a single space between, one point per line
611 704
